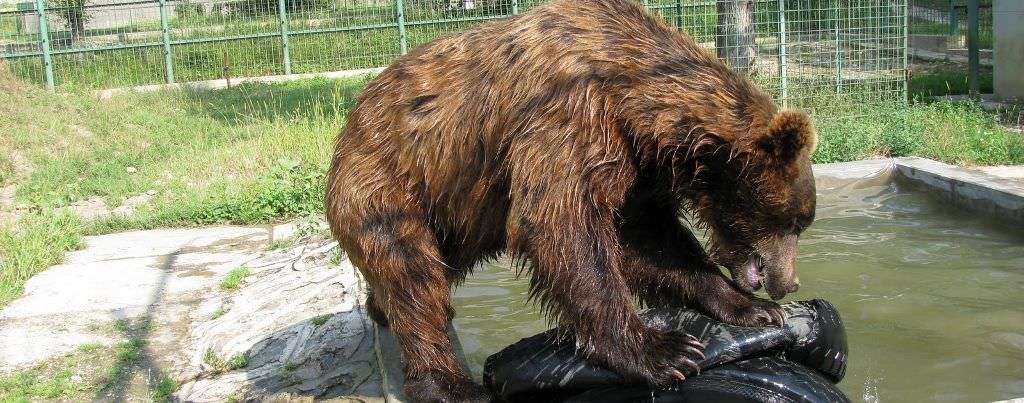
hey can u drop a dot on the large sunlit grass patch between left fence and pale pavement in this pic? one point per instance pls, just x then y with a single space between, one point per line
253 154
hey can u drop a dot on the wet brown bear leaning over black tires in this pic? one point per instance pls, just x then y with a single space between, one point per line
573 138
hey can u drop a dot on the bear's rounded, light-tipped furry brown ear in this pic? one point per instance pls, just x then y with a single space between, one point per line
790 133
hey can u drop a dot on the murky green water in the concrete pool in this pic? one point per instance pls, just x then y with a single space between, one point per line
932 297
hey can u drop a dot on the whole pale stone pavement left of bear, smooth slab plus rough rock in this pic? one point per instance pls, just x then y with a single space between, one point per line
297 318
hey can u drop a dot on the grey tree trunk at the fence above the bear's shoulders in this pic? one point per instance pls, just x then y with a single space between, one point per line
735 34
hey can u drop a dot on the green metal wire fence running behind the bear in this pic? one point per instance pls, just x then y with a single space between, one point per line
829 57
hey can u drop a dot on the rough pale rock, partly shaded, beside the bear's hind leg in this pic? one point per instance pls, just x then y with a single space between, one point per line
271 322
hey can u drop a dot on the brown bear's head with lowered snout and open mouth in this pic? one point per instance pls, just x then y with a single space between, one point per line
761 202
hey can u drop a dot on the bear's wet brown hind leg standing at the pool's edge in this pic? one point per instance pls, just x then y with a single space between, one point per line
411 292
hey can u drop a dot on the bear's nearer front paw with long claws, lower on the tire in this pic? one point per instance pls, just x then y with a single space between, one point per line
672 355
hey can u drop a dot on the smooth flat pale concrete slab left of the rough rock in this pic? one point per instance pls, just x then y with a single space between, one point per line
116 278
